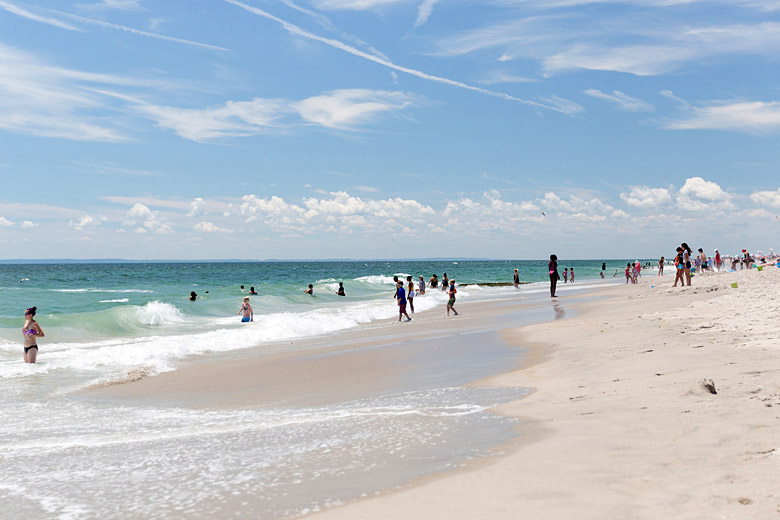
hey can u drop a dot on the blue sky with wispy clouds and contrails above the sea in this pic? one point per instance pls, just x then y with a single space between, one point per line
387 129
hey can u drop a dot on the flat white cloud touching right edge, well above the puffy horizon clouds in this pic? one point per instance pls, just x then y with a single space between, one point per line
742 116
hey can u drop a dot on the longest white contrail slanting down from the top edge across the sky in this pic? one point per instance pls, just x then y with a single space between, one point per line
297 31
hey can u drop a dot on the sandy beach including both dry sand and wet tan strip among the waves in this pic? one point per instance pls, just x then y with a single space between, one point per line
621 421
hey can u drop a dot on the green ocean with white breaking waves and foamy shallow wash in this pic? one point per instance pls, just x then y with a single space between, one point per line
66 457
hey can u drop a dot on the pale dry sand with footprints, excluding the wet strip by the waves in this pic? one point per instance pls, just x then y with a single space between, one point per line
620 426
